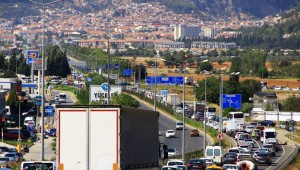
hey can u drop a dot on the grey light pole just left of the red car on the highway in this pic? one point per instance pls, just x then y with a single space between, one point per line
183 109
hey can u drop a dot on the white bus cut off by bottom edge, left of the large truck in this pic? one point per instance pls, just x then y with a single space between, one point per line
41 165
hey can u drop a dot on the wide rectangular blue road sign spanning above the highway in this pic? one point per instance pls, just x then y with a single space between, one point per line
164 80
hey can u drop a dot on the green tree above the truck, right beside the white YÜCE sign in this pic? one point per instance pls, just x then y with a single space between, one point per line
124 100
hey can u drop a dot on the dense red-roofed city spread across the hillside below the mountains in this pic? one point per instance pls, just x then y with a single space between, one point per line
146 23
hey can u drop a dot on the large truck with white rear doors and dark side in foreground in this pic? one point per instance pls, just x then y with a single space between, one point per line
107 137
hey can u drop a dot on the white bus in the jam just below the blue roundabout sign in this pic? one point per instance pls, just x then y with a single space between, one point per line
234 119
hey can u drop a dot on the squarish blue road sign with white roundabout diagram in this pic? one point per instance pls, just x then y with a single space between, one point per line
232 100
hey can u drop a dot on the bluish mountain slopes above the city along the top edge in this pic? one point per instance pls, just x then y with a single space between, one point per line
206 9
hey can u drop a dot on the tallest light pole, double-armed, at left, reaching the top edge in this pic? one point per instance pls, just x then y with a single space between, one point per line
43 74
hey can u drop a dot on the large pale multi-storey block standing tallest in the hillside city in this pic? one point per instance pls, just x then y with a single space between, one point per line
186 31
